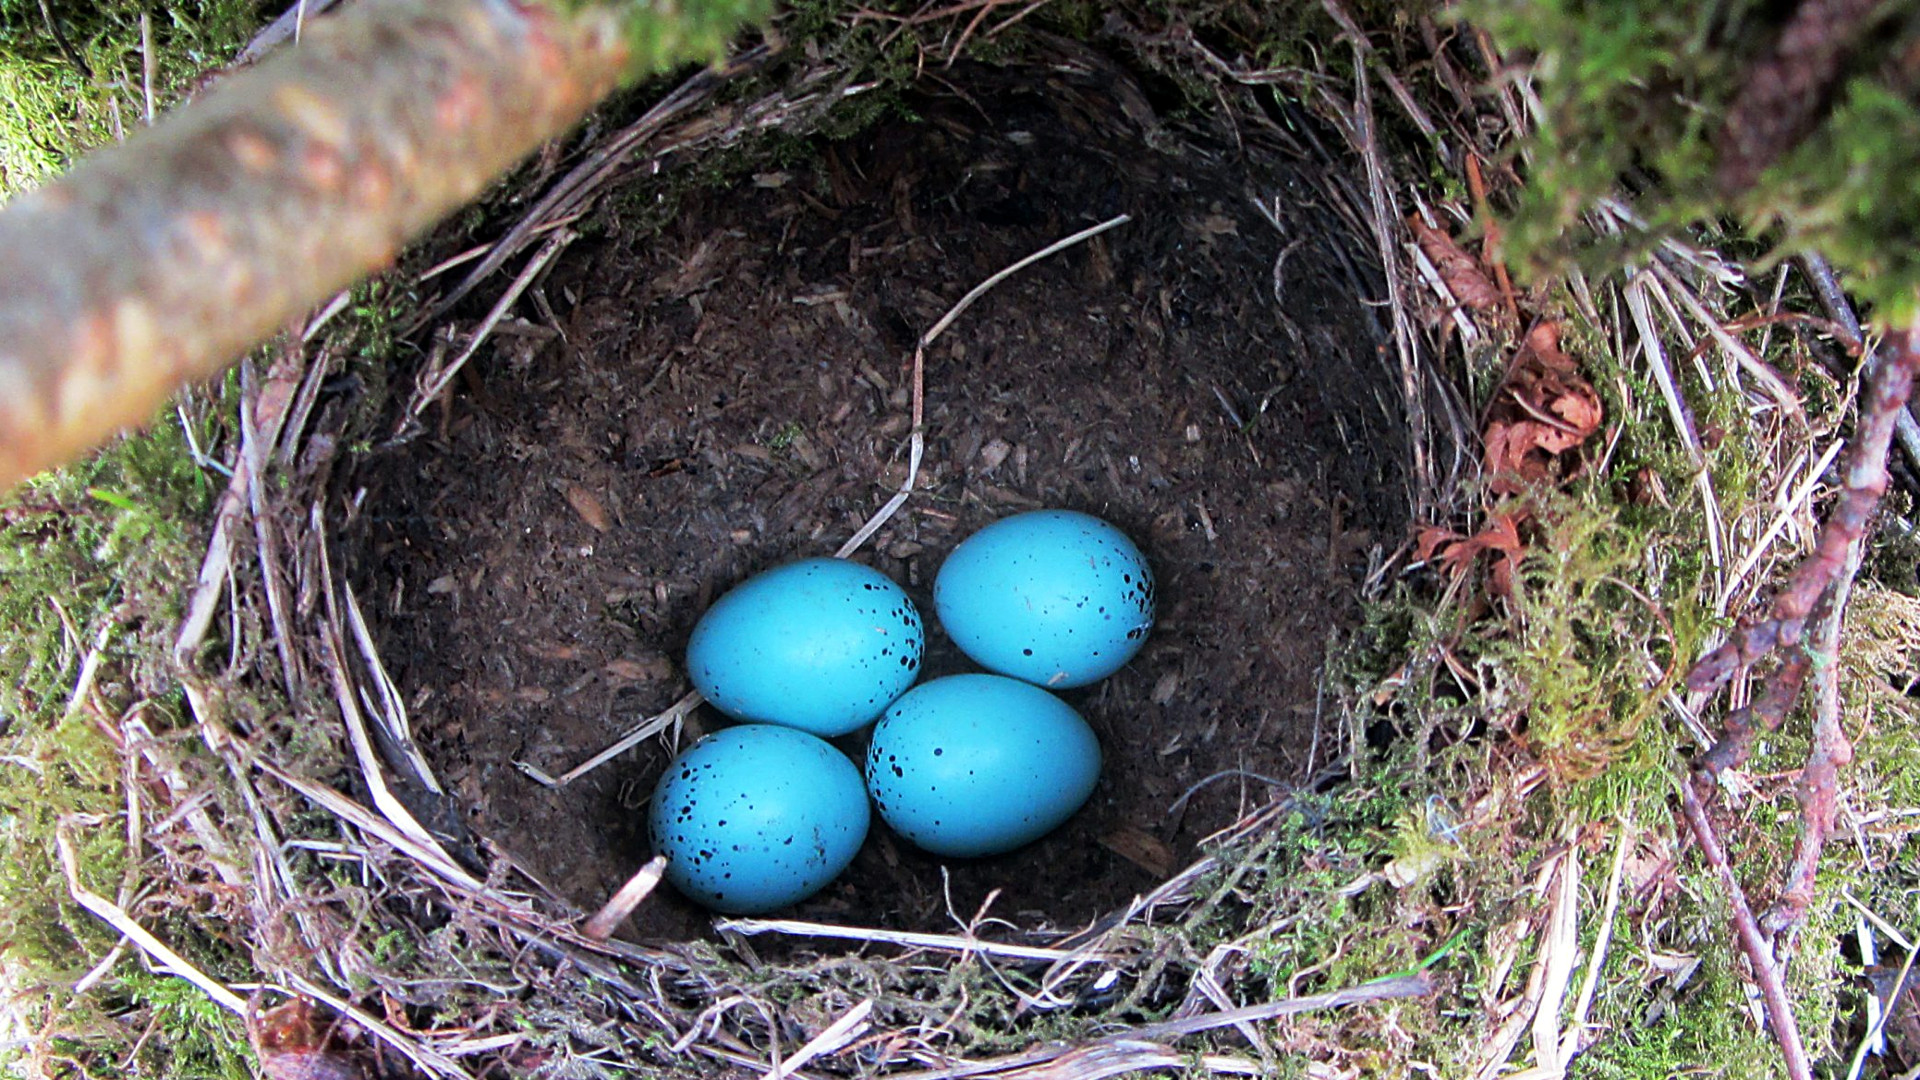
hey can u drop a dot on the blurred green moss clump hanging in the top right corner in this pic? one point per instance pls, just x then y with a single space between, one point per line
1637 95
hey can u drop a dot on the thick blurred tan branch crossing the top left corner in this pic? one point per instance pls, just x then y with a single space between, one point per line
156 262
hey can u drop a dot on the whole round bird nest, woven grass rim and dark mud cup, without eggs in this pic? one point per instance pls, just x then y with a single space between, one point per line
807 307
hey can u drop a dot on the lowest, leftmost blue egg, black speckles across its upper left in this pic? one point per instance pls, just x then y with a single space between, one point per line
757 818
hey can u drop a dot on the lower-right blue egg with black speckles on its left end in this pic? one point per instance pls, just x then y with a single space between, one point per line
980 764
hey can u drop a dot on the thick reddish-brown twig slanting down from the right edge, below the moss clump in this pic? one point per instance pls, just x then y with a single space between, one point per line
1888 389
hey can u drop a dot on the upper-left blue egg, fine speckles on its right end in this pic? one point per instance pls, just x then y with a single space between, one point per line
819 645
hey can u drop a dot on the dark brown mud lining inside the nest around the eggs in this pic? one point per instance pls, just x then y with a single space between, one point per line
734 393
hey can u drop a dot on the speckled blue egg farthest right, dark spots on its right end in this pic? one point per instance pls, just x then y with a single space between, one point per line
1051 597
